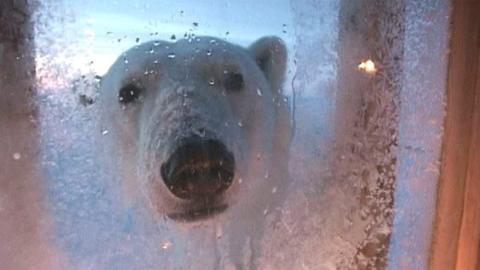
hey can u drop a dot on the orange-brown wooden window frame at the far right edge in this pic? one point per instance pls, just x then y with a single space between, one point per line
456 234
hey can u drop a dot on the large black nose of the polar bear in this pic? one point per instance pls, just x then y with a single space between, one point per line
199 168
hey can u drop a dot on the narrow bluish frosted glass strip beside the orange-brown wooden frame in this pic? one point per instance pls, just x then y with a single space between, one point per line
420 130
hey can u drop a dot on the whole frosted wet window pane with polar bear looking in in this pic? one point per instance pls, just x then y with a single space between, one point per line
225 135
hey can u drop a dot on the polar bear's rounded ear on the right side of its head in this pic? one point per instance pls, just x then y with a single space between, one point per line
270 54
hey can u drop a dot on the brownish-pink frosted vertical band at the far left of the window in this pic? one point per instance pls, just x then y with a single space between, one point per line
24 223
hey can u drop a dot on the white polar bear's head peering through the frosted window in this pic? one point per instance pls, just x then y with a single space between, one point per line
199 126
